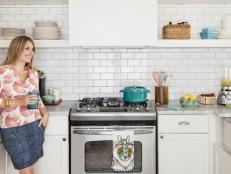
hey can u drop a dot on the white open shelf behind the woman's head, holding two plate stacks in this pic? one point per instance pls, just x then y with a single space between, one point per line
40 43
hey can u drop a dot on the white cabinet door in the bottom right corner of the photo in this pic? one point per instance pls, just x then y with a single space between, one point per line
222 160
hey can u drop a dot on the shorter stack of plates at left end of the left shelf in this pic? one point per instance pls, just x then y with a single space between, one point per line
10 33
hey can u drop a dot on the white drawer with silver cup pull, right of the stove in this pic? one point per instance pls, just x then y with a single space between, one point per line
183 124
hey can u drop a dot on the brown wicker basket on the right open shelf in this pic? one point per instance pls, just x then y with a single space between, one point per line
176 31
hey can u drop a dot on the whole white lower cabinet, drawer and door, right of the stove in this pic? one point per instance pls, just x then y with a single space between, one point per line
183 144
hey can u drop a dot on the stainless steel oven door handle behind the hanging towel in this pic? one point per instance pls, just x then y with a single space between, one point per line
108 132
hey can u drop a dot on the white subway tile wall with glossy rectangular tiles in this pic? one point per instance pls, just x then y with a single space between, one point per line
80 72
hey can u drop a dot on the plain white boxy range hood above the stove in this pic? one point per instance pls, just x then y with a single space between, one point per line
112 22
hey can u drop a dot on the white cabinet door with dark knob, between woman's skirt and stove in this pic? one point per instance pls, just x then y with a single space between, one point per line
55 159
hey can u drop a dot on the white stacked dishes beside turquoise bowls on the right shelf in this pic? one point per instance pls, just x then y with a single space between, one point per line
225 31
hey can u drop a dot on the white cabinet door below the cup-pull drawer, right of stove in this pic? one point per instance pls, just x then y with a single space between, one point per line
183 153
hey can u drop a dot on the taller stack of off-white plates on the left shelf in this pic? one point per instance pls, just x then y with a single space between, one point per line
46 30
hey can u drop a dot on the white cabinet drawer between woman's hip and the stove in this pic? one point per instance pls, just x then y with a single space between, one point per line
57 125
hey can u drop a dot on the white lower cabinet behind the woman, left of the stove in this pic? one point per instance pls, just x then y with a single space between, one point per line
55 148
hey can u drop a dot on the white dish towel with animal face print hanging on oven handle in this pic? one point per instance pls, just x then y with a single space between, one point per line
123 151
